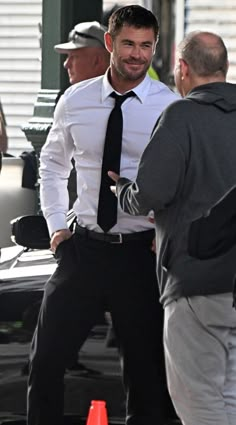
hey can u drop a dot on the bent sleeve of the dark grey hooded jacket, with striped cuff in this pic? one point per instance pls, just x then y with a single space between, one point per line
160 176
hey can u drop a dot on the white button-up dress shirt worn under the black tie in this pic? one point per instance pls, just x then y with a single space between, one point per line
78 131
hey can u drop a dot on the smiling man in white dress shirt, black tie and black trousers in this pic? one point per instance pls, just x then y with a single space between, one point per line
98 271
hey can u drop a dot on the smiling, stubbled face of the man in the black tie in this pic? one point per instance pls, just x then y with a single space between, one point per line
131 55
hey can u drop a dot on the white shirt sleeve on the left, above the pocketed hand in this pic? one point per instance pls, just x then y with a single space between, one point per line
54 170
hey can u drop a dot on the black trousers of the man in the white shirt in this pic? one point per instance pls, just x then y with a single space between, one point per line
91 277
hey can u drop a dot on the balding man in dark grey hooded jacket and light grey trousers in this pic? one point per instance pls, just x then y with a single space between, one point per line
187 177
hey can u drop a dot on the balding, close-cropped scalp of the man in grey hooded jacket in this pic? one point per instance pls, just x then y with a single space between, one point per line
205 53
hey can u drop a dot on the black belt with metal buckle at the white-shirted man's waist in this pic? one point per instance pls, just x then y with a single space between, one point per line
115 238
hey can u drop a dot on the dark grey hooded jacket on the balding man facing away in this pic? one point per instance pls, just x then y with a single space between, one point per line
187 175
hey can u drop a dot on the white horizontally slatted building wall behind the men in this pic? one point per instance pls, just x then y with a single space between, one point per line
20 66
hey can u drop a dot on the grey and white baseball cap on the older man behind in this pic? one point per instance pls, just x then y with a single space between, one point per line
85 34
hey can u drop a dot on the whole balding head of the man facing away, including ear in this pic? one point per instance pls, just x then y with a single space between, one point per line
201 58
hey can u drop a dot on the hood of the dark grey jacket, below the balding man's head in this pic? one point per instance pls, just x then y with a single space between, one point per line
222 95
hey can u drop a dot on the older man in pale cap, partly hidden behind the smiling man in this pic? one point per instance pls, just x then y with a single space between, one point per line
87 56
